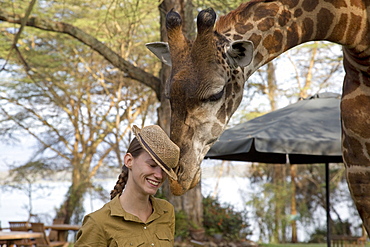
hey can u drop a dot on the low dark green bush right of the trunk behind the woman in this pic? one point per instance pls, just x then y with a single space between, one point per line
224 219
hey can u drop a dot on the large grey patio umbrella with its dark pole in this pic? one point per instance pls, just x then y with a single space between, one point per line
305 132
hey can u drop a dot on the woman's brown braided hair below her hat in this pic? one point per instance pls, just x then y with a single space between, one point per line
135 150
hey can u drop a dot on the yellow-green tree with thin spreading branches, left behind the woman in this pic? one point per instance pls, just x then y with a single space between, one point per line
75 104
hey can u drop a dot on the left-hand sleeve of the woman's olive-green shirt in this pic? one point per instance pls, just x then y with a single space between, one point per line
90 234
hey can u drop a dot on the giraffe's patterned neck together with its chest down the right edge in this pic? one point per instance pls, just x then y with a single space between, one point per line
276 26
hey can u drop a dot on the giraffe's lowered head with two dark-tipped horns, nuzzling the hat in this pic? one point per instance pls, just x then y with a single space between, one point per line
205 88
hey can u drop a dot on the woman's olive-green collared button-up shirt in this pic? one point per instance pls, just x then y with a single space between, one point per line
112 226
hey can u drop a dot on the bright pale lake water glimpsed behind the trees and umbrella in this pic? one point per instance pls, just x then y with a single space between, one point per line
233 188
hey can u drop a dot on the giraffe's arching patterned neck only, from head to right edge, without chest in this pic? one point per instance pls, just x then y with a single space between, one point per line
274 27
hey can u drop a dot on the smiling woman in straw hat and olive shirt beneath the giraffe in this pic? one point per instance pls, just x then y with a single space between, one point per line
133 216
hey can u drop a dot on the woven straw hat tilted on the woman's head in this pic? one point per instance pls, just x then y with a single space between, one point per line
159 146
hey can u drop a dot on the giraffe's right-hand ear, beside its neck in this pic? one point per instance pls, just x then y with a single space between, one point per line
240 53
